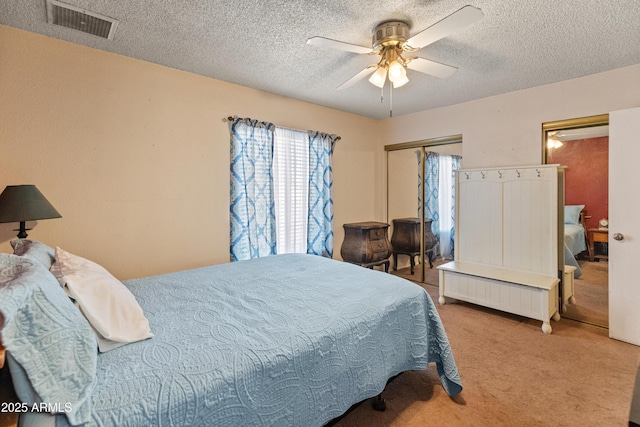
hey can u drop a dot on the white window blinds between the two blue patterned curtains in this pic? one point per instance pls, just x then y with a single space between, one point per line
291 189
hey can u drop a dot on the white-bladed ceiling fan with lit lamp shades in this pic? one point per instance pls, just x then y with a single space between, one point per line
391 41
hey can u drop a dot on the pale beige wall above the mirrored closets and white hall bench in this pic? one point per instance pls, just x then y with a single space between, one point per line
506 129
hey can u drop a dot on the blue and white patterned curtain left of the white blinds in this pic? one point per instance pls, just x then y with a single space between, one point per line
252 210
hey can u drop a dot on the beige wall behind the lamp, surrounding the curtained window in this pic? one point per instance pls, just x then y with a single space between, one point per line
135 156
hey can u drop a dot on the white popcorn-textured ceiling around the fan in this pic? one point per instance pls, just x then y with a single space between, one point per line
262 44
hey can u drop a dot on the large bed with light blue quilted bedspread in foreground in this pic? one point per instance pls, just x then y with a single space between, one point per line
282 340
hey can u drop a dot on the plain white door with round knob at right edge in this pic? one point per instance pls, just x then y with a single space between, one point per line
624 226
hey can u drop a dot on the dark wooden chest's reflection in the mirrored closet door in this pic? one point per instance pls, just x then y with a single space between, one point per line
406 240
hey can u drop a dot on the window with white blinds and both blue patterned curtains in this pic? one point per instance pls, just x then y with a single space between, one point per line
289 173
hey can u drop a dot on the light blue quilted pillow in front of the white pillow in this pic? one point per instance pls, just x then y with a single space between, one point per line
47 336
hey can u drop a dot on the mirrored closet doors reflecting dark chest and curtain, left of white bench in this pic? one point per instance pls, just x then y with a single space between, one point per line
420 205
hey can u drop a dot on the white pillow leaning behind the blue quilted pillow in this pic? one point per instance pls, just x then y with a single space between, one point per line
110 307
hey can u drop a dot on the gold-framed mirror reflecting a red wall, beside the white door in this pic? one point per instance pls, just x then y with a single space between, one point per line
584 153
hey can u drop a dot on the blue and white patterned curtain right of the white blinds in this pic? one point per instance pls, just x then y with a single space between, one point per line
320 225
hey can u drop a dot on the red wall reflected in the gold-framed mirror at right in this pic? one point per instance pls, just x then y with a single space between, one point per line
586 176
